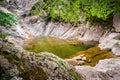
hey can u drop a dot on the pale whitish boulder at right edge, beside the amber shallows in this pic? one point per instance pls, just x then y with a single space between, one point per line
111 41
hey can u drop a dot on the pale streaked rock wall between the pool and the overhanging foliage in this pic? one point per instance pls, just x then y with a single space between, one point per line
63 30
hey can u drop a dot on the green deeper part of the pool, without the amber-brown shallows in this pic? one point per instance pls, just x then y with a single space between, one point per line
60 47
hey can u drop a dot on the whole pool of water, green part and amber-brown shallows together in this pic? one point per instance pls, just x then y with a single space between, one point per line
68 49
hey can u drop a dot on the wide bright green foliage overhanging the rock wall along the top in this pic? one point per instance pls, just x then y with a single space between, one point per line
96 11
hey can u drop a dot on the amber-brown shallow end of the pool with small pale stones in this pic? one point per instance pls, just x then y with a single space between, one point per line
91 56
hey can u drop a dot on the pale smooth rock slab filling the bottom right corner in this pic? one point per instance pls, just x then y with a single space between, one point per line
108 69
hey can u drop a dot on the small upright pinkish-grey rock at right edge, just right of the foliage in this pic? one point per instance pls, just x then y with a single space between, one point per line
116 22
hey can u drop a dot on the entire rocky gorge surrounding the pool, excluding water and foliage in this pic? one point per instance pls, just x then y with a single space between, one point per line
19 64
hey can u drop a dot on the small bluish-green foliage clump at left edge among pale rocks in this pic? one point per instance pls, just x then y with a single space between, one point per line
7 19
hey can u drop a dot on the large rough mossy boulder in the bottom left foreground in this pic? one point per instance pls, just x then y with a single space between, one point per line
18 64
